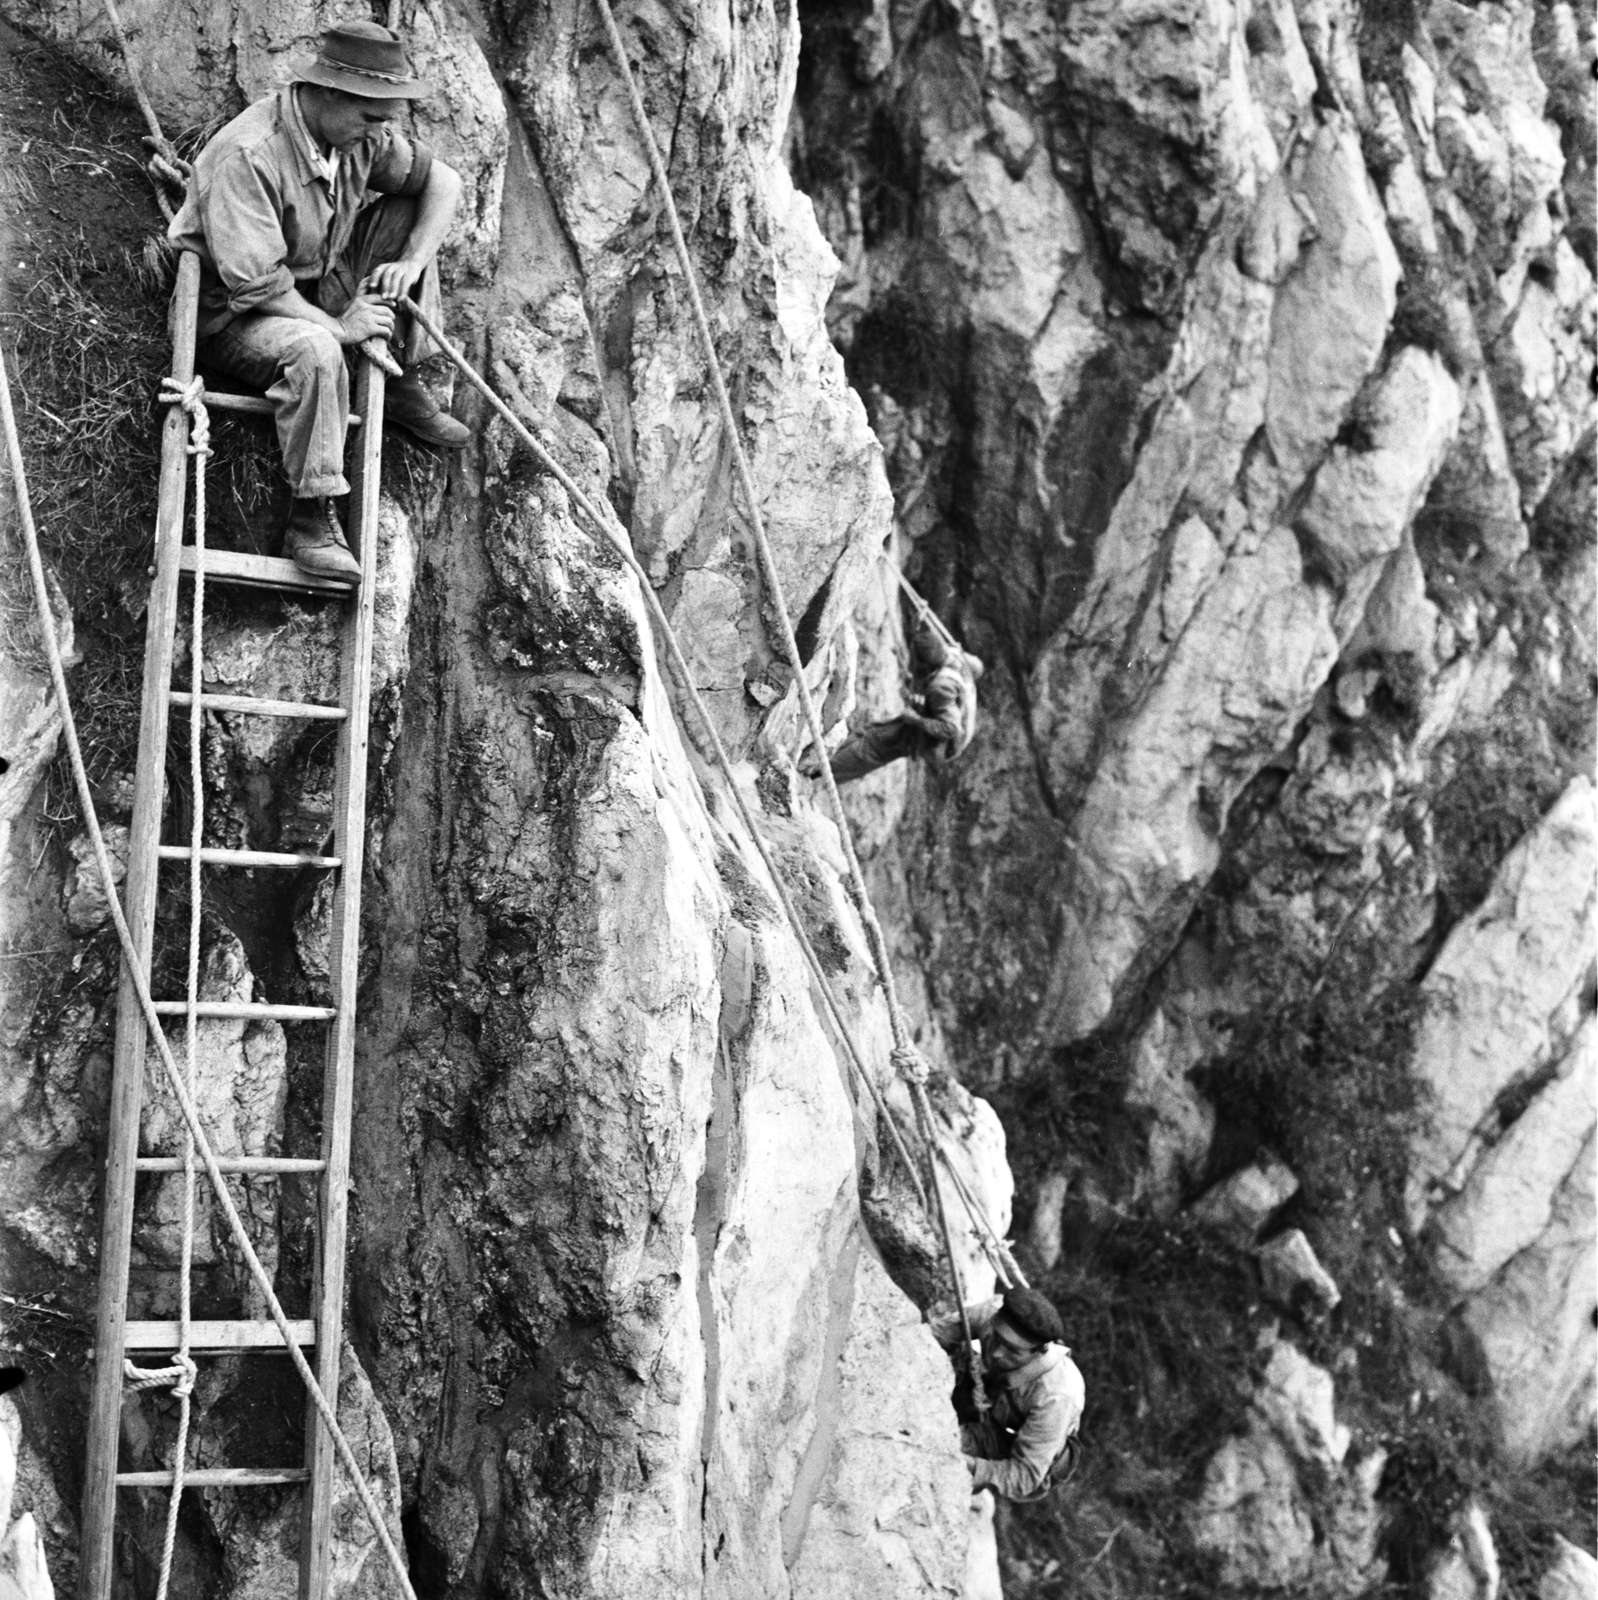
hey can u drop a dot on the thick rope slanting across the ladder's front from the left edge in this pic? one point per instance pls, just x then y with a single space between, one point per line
142 986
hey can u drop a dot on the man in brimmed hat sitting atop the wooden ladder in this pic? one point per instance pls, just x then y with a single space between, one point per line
316 220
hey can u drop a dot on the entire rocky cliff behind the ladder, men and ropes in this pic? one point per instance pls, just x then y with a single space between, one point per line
1224 377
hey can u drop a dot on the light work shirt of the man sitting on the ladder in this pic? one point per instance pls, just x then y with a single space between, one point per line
268 210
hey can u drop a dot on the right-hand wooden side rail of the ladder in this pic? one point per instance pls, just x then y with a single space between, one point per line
350 838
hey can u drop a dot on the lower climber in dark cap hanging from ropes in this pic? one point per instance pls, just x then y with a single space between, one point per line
1034 1388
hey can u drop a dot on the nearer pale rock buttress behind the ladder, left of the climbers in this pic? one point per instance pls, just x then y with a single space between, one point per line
617 1322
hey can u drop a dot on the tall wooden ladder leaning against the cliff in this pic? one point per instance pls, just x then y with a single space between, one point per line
116 1335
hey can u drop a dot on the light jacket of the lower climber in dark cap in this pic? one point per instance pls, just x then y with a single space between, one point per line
1034 1410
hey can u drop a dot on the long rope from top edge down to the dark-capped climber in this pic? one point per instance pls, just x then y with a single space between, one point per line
780 607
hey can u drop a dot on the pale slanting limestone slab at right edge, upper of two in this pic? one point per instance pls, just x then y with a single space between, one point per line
1498 983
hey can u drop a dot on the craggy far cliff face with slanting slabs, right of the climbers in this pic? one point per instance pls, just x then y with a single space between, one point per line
1234 370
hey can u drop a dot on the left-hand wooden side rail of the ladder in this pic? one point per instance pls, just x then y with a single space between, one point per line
122 1143
